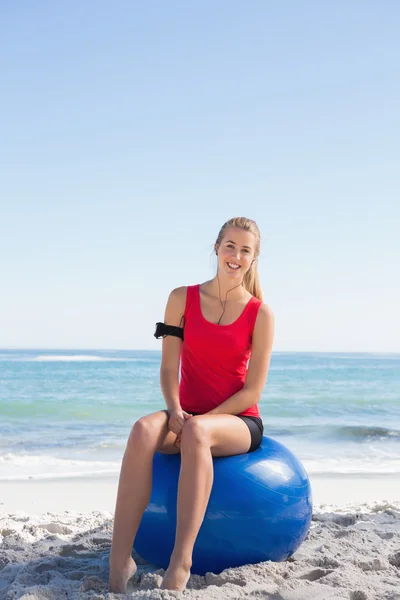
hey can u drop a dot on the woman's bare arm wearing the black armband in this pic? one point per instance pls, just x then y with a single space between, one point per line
171 354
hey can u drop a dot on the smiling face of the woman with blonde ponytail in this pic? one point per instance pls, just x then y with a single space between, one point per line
236 252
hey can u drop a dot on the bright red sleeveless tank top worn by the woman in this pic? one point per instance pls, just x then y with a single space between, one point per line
214 357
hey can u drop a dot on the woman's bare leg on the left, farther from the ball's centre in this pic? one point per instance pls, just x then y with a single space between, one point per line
148 435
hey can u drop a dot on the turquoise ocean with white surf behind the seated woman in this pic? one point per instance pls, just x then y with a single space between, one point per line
67 413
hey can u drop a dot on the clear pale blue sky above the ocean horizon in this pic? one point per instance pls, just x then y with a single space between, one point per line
130 131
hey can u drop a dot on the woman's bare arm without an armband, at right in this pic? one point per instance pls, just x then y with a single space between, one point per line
262 340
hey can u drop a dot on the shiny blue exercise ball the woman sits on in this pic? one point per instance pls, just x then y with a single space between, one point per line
260 509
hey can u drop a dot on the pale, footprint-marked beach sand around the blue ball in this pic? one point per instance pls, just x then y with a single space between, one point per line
55 540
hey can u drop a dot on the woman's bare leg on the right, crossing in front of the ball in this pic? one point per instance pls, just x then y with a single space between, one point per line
202 437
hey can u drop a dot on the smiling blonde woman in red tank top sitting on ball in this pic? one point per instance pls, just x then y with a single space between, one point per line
212 411
